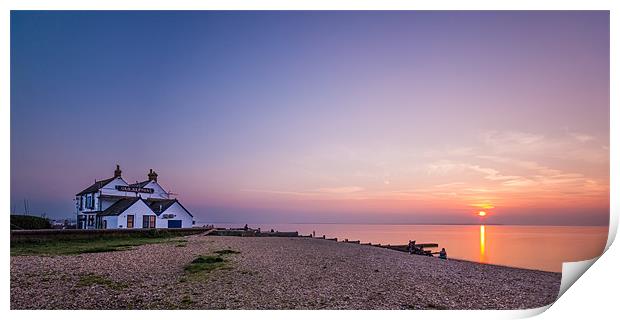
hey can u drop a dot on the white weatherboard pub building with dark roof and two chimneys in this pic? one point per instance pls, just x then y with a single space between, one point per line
115 204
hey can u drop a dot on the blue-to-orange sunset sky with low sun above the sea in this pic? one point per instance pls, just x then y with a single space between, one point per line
333 117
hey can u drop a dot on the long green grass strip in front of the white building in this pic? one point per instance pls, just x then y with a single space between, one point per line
78 246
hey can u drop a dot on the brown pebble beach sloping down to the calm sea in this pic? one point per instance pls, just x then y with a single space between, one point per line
272 273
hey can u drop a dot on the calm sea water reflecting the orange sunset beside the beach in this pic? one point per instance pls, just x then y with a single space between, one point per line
530 247
